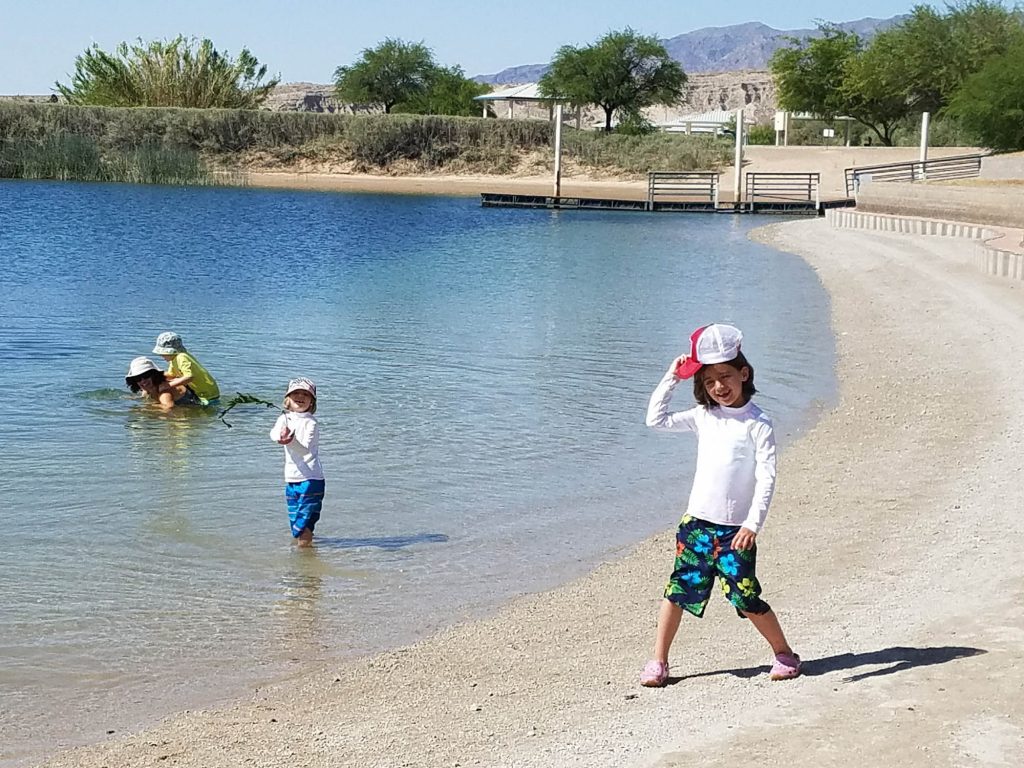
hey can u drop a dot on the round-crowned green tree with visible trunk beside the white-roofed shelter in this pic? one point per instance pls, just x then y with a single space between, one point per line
622 71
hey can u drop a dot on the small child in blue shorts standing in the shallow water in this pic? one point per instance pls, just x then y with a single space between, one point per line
298 432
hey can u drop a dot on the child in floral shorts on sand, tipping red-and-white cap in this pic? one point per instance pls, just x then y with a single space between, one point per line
733 488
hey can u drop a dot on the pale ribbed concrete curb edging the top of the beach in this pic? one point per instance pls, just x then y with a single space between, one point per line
991 261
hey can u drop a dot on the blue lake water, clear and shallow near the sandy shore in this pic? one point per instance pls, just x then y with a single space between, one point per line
483 379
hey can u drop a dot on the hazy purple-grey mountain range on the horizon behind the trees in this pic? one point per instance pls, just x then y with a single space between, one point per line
742 47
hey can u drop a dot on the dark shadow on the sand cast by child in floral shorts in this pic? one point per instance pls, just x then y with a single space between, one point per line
899 659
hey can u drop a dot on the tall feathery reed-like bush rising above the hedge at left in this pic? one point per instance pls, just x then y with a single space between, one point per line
175 73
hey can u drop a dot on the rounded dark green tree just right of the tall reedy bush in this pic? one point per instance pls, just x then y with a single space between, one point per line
395 72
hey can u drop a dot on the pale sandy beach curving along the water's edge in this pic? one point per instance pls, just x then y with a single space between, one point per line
891 553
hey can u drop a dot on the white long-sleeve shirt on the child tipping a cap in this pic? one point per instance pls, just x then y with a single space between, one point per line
736 474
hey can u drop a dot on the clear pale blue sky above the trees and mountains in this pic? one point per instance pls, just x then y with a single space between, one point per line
306 40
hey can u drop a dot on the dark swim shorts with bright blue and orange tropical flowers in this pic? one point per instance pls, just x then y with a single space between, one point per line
704 550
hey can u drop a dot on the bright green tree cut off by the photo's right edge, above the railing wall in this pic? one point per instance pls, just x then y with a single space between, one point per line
991 103
